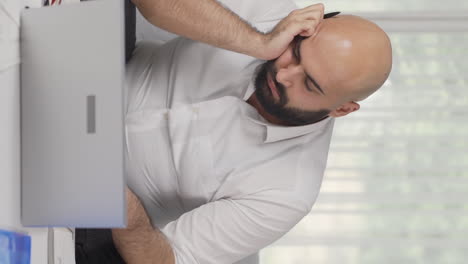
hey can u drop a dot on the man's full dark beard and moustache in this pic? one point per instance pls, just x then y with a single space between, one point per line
290 115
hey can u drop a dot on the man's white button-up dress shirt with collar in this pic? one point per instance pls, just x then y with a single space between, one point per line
217 179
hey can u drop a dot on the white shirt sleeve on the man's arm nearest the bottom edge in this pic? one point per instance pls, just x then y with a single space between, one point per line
227 230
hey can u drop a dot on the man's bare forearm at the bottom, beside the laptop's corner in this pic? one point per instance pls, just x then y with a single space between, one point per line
140 243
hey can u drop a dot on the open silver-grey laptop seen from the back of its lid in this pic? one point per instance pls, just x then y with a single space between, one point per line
72 115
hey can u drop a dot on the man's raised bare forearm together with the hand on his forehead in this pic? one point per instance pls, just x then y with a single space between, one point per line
209 22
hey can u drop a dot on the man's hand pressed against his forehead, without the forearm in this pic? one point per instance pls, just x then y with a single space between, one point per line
299 22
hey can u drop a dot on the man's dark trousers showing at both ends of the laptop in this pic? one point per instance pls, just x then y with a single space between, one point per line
95 246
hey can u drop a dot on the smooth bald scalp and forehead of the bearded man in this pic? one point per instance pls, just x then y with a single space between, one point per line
355 53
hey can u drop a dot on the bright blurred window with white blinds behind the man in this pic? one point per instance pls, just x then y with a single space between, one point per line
396 186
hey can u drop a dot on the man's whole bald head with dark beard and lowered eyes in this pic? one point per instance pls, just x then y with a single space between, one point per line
347 59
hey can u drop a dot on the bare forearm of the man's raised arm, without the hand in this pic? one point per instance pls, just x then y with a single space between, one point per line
204 20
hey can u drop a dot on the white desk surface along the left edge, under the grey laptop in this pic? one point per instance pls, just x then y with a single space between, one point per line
10 128
